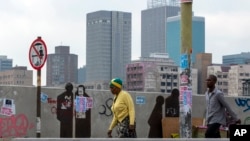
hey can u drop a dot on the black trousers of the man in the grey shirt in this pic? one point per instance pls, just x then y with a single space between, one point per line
213 131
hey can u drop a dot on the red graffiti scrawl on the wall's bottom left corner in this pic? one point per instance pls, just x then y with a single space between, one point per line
15 126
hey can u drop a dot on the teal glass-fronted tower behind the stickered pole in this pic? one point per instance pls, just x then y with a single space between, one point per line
174 38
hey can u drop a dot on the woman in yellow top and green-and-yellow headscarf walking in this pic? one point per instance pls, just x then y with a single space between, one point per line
123 111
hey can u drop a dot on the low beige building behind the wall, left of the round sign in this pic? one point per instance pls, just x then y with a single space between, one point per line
18 75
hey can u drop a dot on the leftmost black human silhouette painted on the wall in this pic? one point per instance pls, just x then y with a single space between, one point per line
65 111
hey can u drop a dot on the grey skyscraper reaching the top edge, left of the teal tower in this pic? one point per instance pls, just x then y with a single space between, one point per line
153 25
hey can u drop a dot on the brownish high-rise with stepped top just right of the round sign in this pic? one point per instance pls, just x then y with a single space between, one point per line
61 67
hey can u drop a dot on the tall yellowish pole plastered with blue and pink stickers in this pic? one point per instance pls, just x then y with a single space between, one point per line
185 75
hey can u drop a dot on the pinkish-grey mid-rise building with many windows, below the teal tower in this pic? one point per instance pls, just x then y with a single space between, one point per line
156 73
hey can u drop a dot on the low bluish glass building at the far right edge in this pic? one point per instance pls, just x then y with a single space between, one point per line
242 58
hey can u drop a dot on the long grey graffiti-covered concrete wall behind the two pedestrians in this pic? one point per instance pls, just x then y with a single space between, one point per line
23 123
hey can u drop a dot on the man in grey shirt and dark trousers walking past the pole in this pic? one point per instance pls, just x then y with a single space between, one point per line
215 109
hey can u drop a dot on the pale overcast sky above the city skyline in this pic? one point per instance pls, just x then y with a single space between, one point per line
63 22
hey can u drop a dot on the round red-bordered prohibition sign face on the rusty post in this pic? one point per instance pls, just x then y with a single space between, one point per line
38 53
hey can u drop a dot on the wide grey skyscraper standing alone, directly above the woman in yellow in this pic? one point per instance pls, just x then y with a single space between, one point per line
108 45
